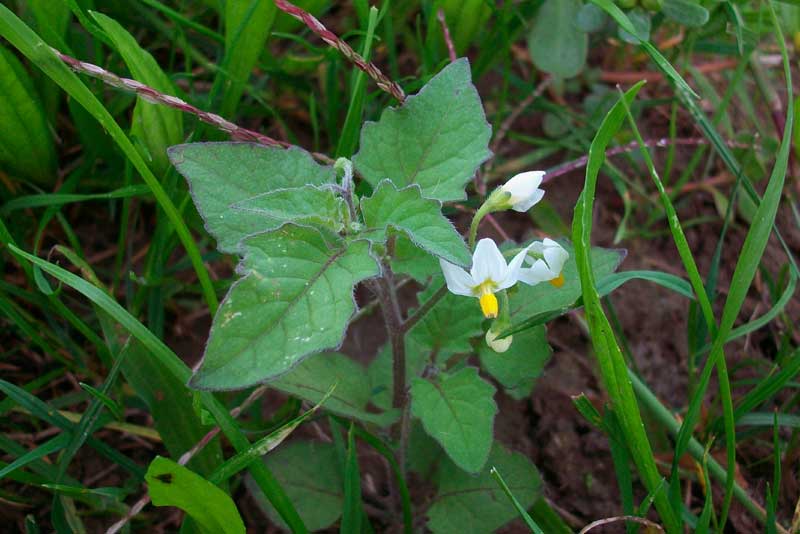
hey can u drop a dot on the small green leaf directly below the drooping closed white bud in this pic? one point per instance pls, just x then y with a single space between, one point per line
518 368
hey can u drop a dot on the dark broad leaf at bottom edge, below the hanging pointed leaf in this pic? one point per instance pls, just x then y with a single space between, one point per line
470 504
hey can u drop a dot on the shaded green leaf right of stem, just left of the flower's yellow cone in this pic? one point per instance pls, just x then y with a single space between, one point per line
448 327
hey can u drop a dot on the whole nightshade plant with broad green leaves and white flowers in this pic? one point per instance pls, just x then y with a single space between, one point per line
308 233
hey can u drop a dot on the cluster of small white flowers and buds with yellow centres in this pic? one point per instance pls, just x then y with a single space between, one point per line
541 261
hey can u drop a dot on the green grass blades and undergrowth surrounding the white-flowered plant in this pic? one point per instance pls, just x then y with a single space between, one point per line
107 268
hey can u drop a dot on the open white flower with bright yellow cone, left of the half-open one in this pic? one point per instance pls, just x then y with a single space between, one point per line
490 273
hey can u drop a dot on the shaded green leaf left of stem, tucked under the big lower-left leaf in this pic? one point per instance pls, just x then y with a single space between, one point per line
313 378
